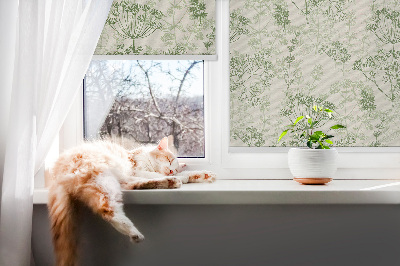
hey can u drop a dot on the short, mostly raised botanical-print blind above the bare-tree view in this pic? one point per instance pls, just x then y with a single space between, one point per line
159 27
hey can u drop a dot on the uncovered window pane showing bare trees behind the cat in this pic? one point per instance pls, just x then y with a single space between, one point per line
142 101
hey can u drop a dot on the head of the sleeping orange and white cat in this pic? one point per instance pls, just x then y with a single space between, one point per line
164 161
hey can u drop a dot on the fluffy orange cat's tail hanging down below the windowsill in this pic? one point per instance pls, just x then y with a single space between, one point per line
62 212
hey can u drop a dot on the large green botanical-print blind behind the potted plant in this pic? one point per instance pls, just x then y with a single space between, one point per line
288 55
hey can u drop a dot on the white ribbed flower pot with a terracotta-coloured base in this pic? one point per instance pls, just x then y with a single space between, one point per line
311 166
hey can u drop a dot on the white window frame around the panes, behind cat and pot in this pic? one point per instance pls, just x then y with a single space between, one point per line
246 163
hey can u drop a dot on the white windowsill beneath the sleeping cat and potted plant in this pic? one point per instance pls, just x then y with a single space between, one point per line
264 192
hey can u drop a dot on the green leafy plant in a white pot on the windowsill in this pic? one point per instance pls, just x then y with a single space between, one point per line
315 163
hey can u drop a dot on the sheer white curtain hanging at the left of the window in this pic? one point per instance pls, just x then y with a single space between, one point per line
55 40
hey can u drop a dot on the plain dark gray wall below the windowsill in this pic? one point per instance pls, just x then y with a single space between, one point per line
237 235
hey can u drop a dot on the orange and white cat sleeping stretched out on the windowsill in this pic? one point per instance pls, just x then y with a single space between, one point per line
94 174
